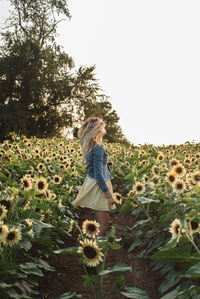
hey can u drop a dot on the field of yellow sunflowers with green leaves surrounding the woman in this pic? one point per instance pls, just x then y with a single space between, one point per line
158 186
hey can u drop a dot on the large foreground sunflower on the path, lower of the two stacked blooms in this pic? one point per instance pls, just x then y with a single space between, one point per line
91 252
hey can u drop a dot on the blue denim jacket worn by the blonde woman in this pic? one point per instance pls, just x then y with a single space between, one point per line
96 163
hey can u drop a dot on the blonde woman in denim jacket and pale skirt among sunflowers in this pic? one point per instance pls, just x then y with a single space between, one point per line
96 191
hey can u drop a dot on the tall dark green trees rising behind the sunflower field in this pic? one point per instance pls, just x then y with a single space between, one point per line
41 92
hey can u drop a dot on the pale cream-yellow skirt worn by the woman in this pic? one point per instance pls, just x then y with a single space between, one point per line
91 196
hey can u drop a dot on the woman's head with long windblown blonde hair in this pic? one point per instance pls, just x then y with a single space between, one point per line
91 132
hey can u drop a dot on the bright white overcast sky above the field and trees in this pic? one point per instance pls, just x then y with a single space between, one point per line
147 57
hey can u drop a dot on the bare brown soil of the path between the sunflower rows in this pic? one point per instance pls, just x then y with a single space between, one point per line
68 275
